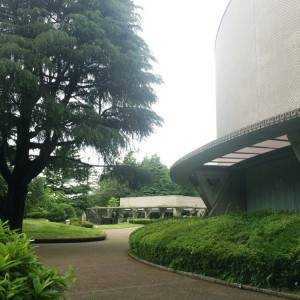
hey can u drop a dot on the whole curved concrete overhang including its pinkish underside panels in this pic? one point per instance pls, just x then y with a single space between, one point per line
229 151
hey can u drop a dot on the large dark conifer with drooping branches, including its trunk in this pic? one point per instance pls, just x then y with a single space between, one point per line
72 72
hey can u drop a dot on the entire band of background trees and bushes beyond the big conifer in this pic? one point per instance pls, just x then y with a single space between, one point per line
64 191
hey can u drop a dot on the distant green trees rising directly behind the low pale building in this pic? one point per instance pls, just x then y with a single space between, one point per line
131 179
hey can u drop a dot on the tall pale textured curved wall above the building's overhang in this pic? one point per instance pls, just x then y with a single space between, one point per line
257 62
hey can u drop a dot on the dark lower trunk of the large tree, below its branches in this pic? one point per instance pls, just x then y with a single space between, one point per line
12 206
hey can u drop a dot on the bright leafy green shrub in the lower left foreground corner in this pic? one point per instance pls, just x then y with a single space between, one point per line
22 275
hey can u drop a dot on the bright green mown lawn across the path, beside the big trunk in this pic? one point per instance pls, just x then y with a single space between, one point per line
42 229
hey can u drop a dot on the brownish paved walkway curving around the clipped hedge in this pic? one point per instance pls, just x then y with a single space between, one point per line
106 269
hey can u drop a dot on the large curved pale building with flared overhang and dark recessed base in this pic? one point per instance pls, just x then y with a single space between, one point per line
253 163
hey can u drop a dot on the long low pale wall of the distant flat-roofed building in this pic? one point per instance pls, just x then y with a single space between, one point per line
152 201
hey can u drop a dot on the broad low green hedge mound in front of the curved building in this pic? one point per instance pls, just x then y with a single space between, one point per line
259 248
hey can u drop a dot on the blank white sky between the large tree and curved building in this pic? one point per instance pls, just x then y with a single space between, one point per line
181 35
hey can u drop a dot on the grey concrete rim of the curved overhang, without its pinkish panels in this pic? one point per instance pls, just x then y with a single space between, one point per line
271 128
